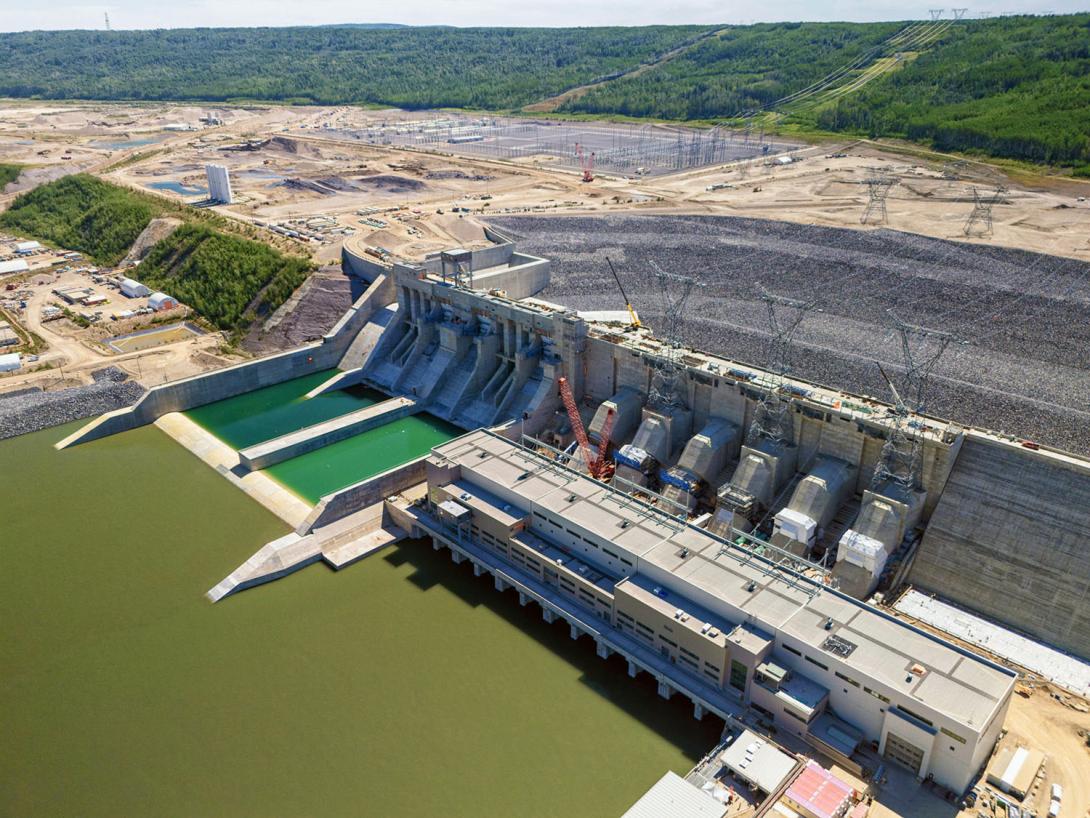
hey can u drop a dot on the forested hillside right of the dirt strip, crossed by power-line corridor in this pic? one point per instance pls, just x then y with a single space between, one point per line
1011 87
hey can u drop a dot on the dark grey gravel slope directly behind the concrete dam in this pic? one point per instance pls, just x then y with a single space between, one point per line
1024 368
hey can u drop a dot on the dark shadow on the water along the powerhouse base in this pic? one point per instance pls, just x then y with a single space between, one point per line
638 697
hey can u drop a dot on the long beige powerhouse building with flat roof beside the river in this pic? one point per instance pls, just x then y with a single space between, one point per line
718 622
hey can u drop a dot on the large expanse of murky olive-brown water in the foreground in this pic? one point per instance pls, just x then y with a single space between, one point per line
402 687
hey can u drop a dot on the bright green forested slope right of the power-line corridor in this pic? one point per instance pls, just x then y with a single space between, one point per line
1016 87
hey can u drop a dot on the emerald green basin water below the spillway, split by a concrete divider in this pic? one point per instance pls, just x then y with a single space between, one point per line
276 411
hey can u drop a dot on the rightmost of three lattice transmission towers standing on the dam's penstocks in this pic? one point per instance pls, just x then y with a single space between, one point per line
902 455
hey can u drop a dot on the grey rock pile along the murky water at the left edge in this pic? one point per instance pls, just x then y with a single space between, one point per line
31 412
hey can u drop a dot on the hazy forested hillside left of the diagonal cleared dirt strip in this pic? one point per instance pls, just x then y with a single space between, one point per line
411 68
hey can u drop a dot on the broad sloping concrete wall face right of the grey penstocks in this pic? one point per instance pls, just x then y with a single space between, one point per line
1009 539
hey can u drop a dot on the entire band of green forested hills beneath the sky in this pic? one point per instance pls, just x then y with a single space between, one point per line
1015 88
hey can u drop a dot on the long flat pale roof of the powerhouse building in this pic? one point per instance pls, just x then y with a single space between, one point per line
956 683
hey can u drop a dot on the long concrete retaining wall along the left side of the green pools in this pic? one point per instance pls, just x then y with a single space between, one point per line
190 393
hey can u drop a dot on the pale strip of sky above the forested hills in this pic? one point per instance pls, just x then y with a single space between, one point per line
18 16
